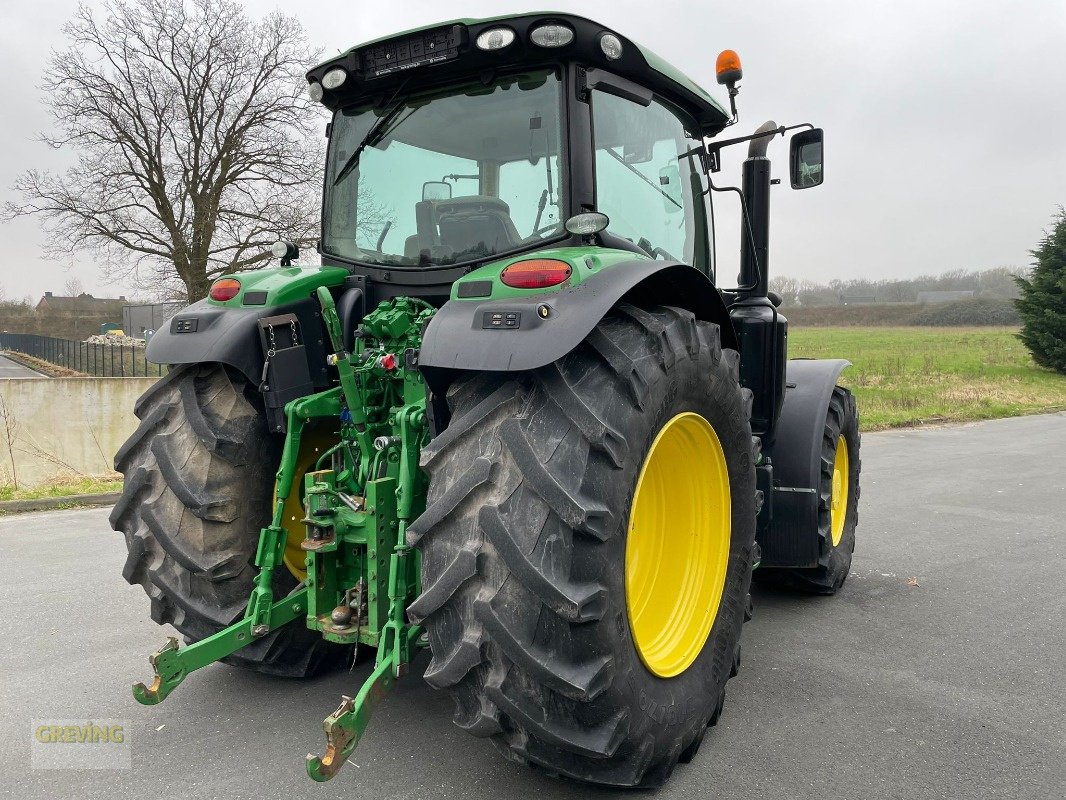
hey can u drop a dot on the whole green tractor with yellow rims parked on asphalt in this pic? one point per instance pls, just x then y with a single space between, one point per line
514 419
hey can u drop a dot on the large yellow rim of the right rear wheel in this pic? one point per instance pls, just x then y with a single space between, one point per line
677 549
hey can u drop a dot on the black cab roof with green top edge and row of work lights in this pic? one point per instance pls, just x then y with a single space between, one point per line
372 74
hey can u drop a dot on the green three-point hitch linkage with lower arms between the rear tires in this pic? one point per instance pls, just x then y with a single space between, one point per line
359 503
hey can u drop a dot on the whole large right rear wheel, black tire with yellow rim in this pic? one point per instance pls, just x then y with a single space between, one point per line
587 550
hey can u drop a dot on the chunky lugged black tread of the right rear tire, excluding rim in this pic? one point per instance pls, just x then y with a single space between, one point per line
504 603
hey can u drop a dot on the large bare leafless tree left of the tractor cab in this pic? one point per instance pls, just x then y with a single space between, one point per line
197 146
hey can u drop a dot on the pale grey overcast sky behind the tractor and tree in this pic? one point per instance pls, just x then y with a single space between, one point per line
944 120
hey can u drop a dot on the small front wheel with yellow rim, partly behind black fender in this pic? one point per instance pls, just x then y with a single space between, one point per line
838 504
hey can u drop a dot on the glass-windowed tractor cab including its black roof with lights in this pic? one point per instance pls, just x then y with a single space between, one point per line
474 141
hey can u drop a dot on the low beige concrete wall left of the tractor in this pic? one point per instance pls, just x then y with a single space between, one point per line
64 427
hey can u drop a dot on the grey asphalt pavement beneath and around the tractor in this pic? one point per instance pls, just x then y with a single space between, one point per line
949 689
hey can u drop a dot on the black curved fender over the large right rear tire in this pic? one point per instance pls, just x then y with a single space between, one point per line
548 326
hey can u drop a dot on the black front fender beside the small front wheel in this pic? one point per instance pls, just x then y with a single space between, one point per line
790 537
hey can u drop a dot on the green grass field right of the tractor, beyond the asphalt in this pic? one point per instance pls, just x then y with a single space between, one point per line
913 376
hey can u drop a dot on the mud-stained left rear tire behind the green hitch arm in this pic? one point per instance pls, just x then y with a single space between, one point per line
199 481
